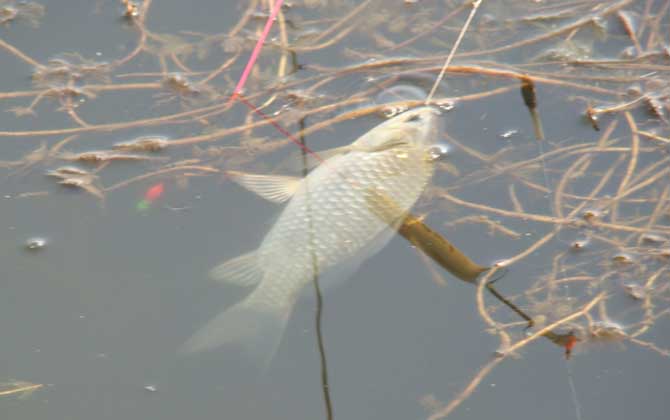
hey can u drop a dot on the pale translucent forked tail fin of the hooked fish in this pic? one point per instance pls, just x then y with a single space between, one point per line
257 329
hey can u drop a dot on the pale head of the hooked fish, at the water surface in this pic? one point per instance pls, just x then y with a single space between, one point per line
418 127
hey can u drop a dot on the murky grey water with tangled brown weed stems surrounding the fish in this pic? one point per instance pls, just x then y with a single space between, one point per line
99 290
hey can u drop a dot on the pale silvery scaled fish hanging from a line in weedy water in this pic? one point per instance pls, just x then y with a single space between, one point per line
328 222
